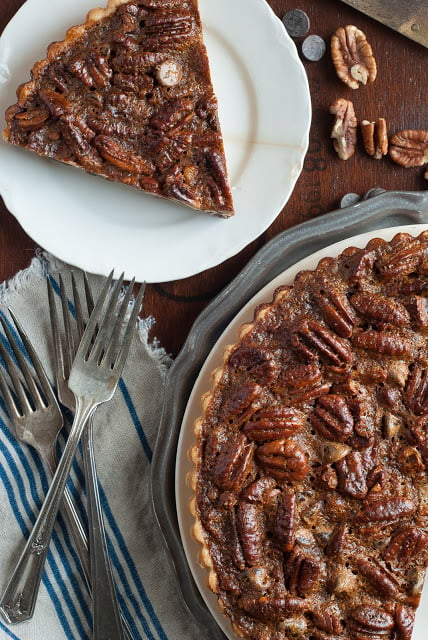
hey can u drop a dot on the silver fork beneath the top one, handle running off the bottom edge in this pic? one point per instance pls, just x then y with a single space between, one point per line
105 604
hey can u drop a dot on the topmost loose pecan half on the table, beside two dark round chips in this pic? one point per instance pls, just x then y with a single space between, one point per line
352 56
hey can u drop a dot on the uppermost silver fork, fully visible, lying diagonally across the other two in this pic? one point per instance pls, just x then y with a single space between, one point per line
94 376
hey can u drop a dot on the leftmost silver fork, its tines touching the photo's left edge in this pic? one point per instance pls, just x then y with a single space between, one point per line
37 418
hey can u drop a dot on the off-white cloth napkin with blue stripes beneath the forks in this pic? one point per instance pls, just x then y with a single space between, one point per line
125 433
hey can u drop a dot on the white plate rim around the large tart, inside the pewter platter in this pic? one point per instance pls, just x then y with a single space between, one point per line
203 384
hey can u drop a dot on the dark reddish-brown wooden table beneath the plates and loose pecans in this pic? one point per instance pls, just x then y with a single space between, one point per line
399 94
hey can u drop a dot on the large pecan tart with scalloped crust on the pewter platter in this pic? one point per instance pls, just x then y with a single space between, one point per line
310 482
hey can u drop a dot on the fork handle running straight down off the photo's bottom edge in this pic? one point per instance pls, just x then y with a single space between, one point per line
107 621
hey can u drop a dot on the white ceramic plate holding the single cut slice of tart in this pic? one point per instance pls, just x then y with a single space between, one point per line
265 115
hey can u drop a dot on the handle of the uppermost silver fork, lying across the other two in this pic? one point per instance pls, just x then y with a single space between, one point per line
19 599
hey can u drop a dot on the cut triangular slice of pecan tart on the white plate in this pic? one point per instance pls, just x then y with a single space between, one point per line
128 96
